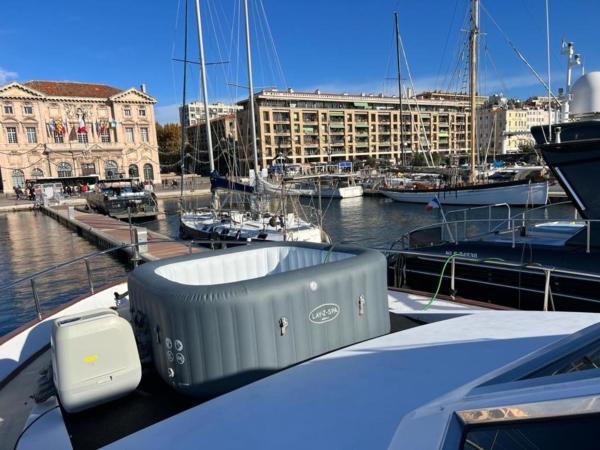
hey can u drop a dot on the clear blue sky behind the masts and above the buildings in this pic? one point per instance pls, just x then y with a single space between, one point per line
334 45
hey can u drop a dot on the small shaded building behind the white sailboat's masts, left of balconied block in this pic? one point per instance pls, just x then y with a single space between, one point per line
225 140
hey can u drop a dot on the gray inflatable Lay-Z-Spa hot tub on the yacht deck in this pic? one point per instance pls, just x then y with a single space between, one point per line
215 321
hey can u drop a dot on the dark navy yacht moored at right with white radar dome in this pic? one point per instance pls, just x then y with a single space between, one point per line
548 263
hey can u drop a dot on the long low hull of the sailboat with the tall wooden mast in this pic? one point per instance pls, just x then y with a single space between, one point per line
513 193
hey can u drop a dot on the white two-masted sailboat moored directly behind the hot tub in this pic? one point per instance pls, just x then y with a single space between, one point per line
215 223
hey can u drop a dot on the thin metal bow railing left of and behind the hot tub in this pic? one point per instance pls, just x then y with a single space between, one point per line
135 258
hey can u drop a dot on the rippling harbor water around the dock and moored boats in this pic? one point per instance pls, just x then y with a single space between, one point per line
31 241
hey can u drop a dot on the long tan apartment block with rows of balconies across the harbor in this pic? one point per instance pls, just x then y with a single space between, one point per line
319 127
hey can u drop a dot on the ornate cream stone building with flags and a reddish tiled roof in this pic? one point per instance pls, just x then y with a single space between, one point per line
59 129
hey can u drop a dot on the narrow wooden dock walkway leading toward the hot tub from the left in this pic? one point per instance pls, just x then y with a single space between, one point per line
107 232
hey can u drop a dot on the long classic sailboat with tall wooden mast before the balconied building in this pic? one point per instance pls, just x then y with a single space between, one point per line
515 193
